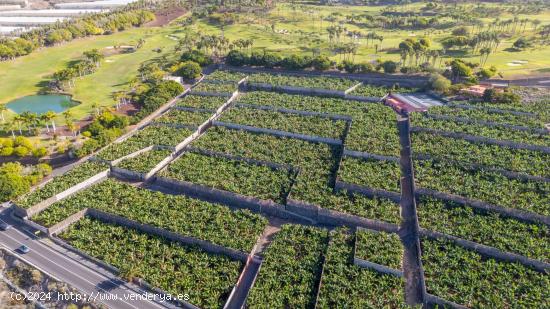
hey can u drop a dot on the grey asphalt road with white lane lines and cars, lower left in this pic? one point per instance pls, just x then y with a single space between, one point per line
85 277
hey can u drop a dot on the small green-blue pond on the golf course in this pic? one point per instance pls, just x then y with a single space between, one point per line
40 104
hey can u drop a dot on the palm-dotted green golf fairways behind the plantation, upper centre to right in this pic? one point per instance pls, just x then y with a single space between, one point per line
306 31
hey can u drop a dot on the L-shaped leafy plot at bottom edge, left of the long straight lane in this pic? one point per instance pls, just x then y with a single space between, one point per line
347 285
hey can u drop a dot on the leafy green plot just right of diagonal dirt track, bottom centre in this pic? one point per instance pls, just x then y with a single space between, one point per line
291 269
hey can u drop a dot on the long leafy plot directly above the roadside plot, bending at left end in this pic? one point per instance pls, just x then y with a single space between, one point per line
179 214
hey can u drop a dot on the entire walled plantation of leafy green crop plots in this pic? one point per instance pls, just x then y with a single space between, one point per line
324 212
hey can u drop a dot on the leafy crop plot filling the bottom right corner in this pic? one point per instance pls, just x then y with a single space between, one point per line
462 276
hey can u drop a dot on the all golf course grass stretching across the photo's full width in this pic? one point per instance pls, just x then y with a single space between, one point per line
305 31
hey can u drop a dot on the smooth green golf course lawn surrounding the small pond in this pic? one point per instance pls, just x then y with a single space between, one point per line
26 75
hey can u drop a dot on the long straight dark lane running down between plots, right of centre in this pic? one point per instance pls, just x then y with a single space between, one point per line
415 288
